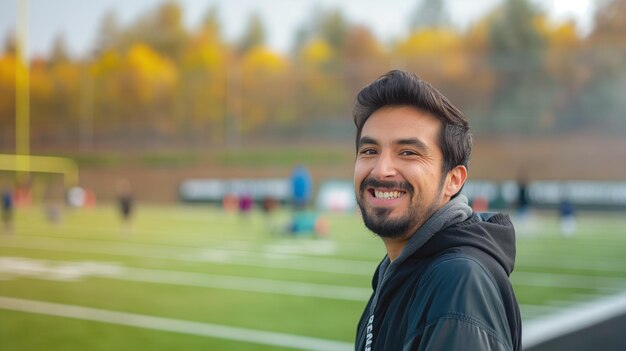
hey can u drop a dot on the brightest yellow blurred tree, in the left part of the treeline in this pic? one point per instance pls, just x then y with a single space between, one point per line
134 95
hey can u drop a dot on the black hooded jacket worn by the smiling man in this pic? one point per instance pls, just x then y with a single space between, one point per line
452 293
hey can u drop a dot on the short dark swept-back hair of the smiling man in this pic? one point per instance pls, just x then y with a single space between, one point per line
400 88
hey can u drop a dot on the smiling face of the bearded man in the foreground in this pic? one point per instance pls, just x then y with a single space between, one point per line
397 172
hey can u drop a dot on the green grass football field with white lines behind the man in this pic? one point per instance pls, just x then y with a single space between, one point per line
196 278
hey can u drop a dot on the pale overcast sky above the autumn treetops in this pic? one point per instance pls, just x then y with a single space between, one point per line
78 20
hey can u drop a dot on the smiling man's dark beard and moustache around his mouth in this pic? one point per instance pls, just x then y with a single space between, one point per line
377 219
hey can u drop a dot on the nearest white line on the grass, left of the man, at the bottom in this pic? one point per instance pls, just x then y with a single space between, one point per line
174 325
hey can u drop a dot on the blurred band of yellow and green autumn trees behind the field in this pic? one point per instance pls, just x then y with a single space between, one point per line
157 82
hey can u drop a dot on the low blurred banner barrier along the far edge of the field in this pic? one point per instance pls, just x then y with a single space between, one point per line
339 195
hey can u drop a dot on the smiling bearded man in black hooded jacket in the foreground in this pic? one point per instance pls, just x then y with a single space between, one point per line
444 283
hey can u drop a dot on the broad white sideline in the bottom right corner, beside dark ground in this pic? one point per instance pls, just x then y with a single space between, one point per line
562 323
